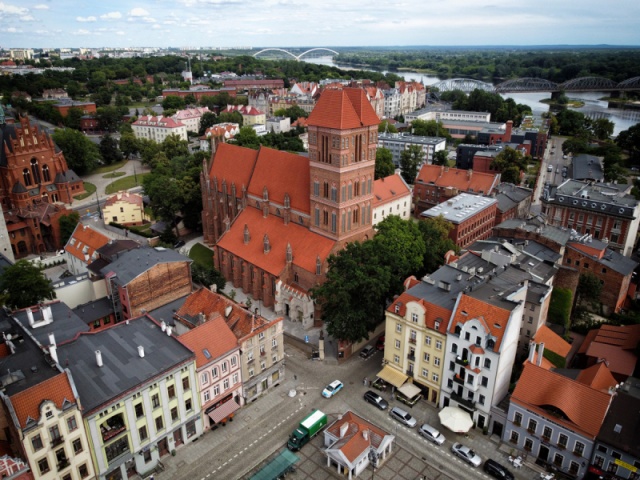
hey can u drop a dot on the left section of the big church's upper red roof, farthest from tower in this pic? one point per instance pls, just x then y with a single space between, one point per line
234 165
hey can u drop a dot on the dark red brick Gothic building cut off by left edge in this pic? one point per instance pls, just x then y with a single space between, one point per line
35 183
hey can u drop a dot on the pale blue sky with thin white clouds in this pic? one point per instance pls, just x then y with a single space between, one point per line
228 23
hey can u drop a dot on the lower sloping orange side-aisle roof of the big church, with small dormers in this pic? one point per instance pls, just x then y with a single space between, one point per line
306 245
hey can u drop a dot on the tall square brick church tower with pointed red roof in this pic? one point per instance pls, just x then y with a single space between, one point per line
343 135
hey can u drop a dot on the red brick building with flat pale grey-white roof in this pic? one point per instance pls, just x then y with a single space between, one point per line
472 217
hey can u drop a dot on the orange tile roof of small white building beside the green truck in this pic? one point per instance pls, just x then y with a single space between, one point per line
354 443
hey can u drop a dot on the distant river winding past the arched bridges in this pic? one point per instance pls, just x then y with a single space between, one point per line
593 106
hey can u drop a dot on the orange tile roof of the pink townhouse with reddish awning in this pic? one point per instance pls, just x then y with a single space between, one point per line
213 335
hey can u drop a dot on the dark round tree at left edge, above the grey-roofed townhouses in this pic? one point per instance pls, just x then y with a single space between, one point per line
24 285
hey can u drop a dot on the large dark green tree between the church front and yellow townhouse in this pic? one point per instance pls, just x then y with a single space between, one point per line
353 297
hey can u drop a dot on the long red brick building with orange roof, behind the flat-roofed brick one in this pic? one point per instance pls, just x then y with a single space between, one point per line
436 184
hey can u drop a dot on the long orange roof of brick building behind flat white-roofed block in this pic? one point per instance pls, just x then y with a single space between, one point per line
463 180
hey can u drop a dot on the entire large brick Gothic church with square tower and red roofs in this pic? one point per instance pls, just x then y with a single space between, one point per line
273 218
